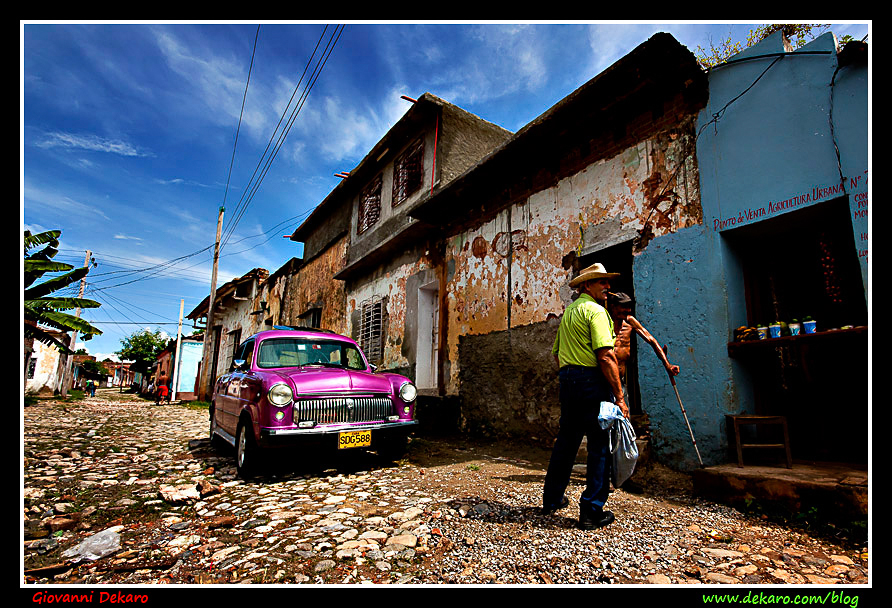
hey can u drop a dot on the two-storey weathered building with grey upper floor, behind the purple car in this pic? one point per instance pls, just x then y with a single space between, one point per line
366 258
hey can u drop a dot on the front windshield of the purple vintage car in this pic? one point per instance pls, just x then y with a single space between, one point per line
298 352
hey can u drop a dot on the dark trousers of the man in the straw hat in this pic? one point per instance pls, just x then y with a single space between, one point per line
582 391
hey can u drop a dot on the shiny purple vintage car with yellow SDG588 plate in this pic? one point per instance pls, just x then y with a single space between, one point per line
291 386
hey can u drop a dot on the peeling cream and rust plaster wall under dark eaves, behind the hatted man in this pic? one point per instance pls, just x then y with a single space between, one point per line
512 272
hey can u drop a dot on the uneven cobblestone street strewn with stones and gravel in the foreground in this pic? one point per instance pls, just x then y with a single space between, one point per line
119 491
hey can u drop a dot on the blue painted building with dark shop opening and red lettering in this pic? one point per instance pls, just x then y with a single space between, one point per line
782 151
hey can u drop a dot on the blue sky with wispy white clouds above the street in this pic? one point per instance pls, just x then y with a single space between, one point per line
128 132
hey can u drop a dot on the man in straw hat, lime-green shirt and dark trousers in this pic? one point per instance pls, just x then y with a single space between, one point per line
584 351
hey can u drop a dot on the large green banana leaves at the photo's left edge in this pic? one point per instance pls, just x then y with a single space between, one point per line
42 309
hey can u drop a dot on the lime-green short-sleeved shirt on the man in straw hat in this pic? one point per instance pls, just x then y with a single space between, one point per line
585 327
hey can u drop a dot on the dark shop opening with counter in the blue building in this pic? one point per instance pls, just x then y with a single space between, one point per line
805 263
